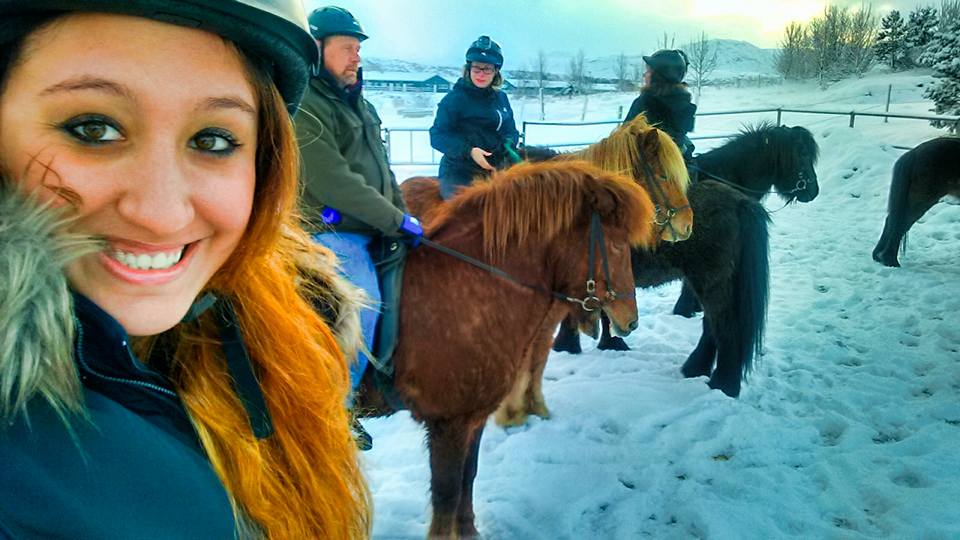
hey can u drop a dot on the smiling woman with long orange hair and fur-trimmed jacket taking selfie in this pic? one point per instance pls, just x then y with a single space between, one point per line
162 372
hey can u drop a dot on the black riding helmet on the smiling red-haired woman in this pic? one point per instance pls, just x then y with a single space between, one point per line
271 31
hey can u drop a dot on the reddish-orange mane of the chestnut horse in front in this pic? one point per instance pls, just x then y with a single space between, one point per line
536 202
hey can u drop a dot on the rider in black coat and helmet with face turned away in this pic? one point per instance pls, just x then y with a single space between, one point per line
664 99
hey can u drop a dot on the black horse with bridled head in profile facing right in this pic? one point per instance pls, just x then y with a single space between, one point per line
762 157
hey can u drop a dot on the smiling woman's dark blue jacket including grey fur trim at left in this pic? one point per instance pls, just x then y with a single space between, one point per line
132 467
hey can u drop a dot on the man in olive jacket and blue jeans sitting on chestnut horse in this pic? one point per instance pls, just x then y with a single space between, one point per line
351 201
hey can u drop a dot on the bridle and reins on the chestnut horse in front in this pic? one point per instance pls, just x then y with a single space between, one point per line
590 302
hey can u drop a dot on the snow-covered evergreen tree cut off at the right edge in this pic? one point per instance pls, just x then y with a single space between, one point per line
942 53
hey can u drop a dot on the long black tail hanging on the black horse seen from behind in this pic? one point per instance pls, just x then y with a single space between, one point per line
752 280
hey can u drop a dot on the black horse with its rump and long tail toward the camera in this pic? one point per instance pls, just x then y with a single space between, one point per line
726 263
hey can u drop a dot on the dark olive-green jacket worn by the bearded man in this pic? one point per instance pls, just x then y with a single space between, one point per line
345 163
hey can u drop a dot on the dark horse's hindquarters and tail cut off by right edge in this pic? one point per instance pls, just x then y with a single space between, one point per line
921 177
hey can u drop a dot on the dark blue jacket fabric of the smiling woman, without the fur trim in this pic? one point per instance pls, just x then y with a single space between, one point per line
135 469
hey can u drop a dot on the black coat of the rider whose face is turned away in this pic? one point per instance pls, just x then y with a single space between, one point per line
671 112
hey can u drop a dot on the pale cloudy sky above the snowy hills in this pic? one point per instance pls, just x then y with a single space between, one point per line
439 31
